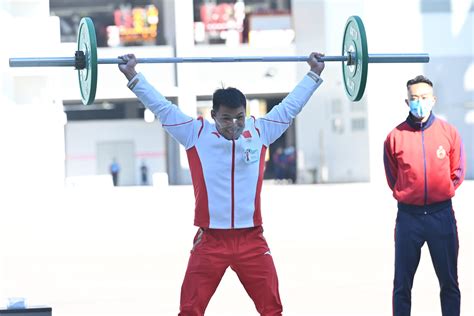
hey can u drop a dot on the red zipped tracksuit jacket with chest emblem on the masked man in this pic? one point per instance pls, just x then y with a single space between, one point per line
424 162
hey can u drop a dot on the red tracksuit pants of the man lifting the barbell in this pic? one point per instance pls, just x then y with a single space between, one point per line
247 253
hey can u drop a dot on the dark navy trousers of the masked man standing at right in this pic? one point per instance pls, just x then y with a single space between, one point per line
438 229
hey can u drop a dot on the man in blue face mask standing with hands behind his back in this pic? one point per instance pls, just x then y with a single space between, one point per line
424 164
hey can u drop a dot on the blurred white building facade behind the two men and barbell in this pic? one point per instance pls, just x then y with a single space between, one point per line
335 140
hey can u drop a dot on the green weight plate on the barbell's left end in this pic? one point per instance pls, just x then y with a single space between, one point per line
87 42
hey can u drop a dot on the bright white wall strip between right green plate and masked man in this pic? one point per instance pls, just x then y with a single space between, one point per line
386 84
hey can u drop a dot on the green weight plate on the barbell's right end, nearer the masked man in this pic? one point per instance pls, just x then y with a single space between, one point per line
355 41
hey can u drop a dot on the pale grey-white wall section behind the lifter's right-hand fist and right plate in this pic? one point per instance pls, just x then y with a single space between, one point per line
320 26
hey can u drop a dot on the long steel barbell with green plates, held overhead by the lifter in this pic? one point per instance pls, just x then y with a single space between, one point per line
355 59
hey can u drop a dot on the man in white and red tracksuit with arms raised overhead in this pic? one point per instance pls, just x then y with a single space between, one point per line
226 159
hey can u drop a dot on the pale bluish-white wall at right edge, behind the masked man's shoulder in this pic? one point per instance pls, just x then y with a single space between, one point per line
452 71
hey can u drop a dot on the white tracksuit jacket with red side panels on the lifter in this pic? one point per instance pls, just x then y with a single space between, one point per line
227 174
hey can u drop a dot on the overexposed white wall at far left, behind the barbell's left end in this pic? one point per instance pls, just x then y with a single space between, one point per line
31 116
